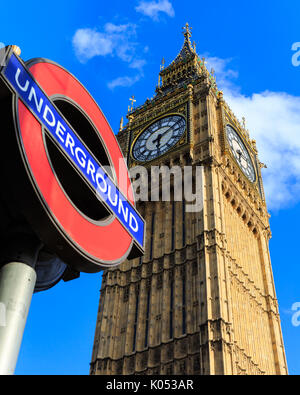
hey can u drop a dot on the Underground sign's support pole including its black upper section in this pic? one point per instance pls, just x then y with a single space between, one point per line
17 282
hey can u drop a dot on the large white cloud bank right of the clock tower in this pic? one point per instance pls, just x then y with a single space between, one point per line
273 119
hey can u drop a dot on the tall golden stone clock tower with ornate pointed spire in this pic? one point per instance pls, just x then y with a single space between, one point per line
202 300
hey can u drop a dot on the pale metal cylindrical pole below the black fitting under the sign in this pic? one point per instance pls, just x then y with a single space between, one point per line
17 281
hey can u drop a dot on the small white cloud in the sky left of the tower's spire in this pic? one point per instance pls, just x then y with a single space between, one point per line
114 40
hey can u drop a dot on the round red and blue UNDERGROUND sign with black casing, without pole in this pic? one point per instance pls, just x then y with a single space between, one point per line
58 145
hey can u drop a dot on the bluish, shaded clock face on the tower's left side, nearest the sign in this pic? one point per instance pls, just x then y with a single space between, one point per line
158 138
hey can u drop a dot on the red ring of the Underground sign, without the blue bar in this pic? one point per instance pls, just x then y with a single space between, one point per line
104 243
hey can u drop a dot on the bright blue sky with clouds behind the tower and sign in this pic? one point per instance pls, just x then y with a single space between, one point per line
115 49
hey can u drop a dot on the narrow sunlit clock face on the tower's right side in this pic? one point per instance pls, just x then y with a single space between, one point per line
240 153
